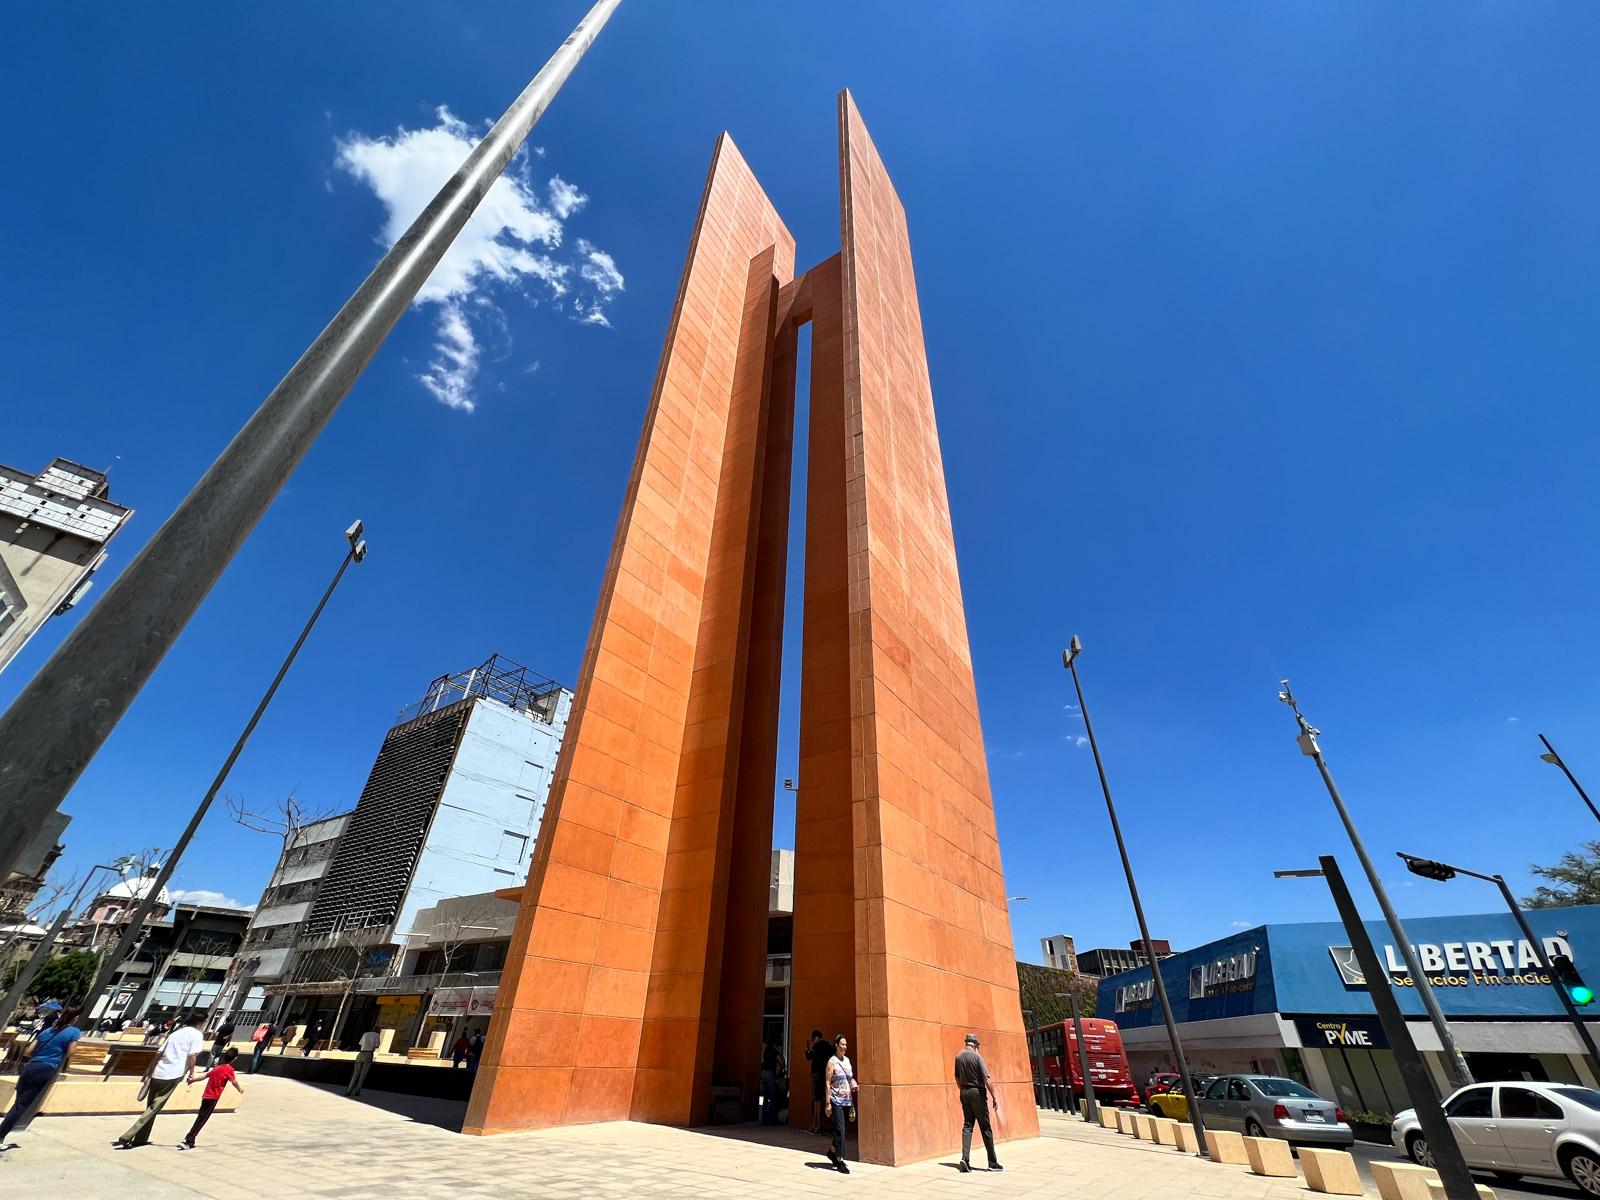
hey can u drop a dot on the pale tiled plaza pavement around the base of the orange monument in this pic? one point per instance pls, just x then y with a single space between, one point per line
295 1140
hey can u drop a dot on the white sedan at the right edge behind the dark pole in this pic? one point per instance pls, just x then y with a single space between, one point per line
1518 1129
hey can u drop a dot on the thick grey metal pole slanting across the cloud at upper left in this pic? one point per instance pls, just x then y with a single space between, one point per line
55 727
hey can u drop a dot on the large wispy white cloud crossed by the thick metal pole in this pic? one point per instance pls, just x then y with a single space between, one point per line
513 244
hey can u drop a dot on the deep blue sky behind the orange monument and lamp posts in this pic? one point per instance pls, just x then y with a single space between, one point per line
1262 342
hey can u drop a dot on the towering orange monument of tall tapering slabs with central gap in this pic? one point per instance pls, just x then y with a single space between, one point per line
636 974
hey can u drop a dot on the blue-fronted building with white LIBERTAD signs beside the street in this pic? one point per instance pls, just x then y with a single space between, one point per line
1290 999
